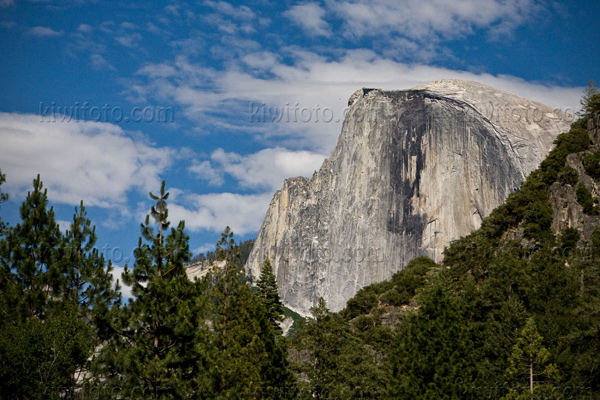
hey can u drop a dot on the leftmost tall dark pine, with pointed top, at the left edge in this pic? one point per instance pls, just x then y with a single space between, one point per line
43 339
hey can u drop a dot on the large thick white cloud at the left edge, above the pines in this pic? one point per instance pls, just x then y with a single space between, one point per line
89 161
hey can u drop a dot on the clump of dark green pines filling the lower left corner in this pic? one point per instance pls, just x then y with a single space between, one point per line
55 294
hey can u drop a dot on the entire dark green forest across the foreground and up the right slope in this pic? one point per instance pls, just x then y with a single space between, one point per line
511 313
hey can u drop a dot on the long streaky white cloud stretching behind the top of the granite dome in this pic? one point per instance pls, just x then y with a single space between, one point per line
263 87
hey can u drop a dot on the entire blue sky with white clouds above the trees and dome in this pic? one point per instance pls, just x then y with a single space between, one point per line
86 84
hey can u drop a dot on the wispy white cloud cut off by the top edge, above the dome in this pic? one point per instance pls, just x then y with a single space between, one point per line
432 19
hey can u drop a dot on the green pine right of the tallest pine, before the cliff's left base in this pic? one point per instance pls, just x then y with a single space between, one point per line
251 360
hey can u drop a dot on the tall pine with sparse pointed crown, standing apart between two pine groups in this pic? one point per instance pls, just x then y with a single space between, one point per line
156 351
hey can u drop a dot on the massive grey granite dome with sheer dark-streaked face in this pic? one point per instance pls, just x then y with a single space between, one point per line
412 171
